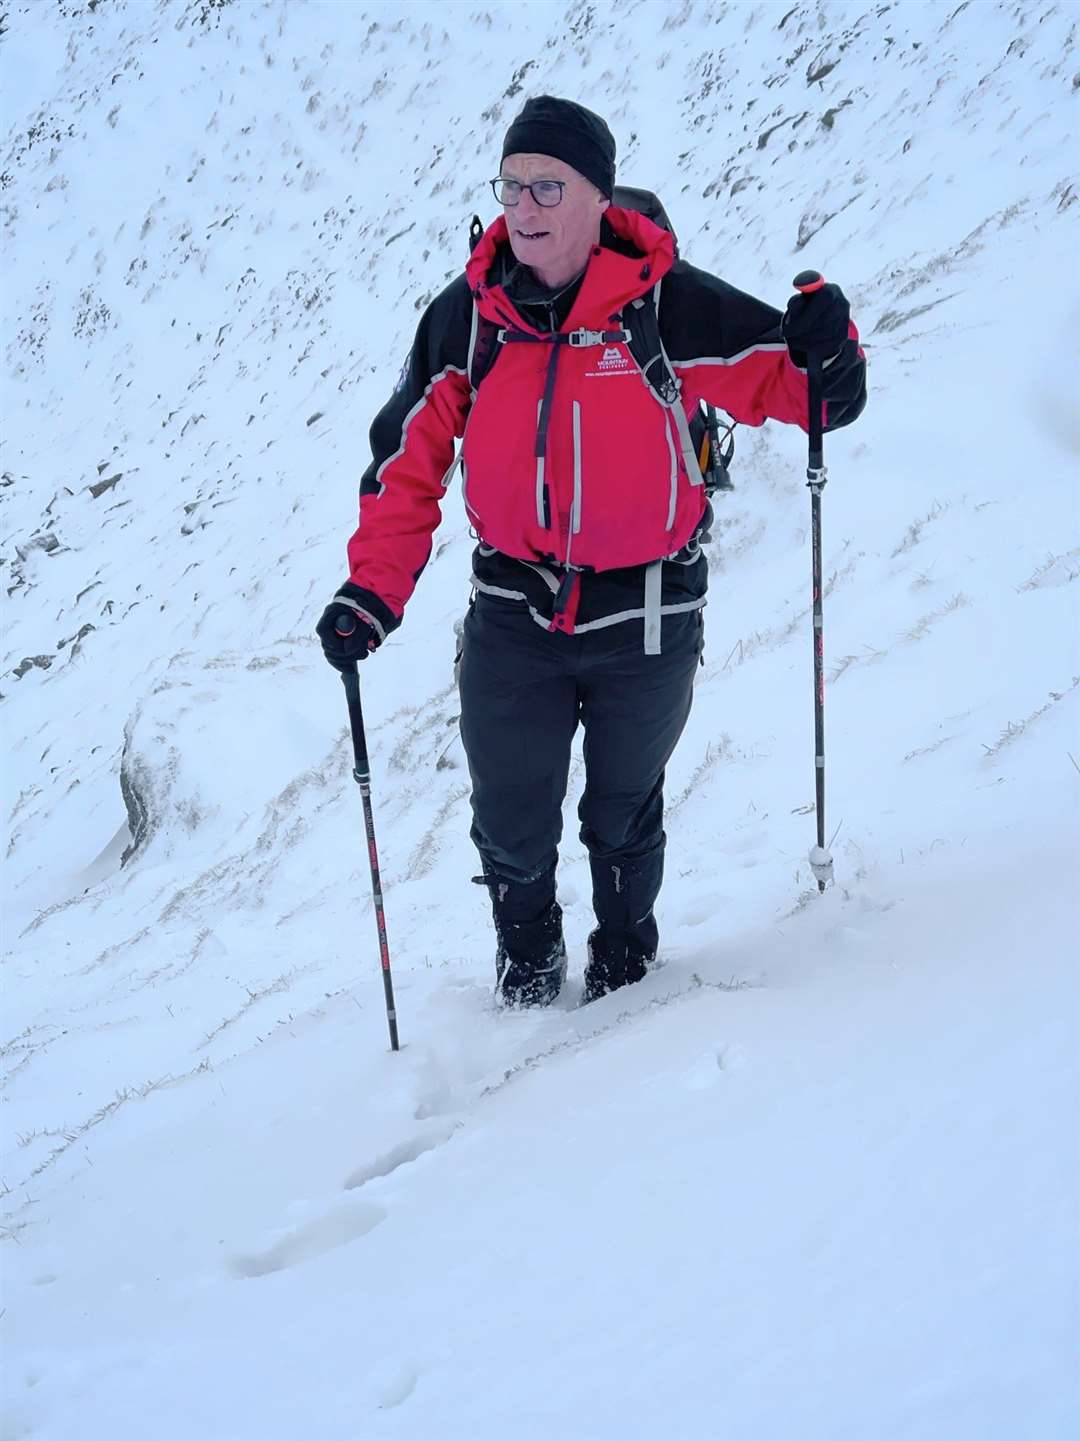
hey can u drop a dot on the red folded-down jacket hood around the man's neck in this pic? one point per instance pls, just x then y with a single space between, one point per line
632 257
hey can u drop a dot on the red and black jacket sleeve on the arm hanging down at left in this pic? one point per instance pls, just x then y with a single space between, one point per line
413 453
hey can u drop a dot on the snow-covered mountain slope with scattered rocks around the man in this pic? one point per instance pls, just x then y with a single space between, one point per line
820 1174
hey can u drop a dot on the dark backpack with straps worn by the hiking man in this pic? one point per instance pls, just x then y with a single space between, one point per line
714 443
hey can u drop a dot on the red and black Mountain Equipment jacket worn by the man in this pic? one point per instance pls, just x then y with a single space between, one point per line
576 476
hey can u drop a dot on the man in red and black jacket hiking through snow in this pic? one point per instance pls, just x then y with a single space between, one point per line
583 488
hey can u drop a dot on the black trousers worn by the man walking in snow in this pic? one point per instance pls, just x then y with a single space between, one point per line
524 692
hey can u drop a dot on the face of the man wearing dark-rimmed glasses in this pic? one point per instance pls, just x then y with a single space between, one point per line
553 240
